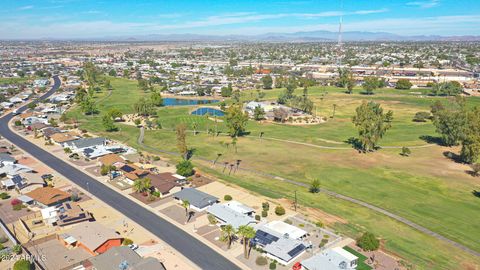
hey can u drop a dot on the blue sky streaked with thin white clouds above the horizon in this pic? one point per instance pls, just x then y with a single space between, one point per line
21 19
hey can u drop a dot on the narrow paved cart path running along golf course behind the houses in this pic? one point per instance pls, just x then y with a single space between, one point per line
333 194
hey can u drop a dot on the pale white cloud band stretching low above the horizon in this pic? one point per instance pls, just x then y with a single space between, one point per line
439 25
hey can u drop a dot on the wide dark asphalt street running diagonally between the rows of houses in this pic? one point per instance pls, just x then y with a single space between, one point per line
199 253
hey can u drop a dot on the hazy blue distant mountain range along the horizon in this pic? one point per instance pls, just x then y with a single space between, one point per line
325 36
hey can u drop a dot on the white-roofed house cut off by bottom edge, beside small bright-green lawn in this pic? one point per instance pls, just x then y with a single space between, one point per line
331 259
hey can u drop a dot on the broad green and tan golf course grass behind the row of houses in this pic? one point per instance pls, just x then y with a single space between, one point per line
422 188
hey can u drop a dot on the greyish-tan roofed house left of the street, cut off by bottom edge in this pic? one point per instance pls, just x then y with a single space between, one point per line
123 258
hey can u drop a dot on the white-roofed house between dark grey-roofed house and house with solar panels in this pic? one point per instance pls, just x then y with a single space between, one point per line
232 213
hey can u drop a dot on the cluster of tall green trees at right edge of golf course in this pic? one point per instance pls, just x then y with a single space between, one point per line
458 124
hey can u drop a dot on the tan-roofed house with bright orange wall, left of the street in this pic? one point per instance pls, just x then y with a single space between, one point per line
94 237
